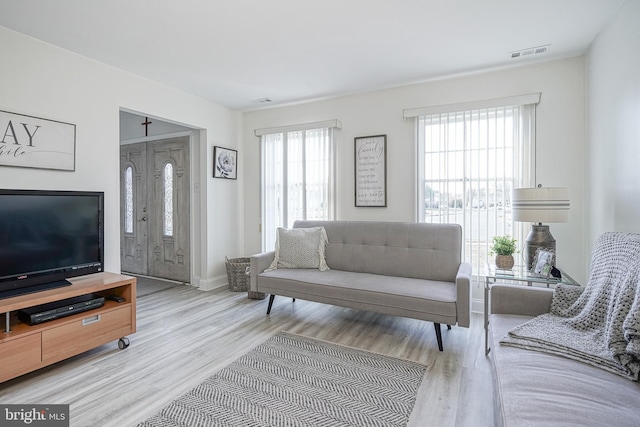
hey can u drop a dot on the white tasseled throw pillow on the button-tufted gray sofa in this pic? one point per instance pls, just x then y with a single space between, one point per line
300 248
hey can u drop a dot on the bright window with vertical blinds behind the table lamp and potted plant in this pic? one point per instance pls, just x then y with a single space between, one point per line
469 160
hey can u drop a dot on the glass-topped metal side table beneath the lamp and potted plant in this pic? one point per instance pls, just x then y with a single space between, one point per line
518 275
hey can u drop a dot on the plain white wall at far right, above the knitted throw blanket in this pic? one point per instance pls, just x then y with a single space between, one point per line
613 88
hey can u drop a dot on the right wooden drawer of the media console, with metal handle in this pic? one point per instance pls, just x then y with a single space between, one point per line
95 328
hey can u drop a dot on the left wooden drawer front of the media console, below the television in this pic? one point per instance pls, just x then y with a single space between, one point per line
19 356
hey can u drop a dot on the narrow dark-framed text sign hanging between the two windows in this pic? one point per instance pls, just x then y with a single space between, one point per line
371 170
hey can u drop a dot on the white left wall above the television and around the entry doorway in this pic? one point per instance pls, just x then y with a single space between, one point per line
41 80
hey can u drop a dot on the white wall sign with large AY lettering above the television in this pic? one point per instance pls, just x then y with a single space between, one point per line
32 142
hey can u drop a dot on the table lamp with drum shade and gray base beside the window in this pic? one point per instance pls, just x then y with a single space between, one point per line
538 205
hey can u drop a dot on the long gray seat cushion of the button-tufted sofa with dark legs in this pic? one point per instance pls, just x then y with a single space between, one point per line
401 296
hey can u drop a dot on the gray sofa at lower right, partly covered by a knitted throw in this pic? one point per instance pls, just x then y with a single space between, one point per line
540 389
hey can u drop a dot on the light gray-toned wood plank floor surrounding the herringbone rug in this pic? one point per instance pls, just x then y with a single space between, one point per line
186 335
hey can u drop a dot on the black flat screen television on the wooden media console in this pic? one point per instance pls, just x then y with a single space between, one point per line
47 237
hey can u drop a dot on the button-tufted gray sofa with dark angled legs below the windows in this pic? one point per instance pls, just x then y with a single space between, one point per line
403 269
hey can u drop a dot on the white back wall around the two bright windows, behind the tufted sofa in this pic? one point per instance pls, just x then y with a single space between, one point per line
560 136
